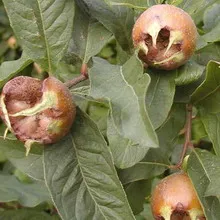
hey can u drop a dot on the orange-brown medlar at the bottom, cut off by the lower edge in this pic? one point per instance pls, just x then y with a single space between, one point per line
175 198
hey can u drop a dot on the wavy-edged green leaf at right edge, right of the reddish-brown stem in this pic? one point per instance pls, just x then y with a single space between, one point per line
207 100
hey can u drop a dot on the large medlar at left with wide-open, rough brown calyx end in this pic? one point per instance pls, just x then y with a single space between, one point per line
37 111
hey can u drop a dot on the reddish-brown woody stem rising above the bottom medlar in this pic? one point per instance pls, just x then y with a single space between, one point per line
187 142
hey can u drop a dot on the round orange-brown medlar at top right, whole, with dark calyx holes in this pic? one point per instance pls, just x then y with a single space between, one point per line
166 36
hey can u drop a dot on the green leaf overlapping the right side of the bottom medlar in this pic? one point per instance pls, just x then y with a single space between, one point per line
203 169
